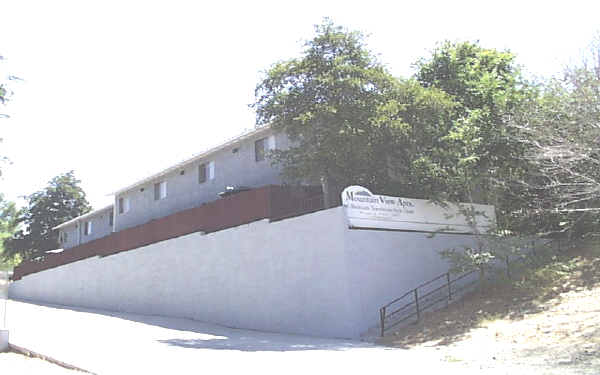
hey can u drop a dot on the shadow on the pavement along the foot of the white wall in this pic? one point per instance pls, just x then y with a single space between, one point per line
212 336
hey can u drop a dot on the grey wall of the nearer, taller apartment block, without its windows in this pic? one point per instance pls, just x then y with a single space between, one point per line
184 191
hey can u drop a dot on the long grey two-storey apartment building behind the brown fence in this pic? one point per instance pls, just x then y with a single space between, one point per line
241 161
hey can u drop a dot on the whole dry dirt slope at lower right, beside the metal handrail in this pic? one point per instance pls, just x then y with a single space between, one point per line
550 322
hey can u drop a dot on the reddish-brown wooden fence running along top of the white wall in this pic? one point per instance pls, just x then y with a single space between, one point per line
269 202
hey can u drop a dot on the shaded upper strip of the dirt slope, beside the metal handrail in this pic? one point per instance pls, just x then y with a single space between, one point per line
532 292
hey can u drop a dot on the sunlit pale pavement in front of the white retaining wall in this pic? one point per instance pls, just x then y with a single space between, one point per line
104 342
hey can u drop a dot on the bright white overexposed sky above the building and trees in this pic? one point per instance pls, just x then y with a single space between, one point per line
119 90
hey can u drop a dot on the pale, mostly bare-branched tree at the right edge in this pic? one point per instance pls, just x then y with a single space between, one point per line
561 131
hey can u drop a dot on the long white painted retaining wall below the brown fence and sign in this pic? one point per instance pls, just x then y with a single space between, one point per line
308 275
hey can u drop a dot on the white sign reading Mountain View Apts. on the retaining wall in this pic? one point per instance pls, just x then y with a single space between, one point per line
367 210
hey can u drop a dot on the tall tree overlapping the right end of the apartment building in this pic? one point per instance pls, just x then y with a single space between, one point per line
326 101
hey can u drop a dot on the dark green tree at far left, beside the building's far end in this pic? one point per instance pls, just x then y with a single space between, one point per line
63 199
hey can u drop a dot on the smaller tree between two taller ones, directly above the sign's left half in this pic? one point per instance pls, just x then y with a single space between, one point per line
413 122
